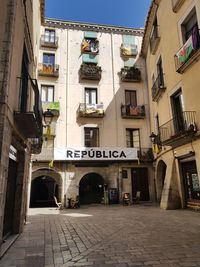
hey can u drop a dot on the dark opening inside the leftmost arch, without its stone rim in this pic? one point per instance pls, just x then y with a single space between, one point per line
43 190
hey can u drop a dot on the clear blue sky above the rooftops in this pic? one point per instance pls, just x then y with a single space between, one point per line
126 13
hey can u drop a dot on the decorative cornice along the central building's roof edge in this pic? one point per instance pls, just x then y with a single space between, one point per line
55 23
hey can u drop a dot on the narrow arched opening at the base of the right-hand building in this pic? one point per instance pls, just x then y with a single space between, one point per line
160 178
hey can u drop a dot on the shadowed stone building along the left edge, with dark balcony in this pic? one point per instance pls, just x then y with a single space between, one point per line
20 109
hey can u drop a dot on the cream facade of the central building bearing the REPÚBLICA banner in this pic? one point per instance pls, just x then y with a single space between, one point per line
97 147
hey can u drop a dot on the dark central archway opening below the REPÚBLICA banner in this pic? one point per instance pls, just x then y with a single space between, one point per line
91 188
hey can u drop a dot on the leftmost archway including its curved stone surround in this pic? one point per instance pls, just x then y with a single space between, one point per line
45 185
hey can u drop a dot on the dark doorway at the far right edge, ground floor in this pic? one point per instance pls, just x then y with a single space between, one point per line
190 181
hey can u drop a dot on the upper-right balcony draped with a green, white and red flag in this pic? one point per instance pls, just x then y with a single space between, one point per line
189 52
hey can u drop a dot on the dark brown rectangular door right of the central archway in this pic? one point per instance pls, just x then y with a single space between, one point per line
140 182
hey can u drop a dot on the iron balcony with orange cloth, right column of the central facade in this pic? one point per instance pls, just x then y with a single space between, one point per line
132 112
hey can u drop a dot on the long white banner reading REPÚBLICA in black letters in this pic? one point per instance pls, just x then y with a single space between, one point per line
95 153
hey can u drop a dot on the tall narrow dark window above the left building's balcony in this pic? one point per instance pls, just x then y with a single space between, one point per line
23 95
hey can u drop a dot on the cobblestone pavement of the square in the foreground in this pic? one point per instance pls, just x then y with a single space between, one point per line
98 235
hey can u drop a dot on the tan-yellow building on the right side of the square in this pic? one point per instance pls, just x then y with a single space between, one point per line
171 48
